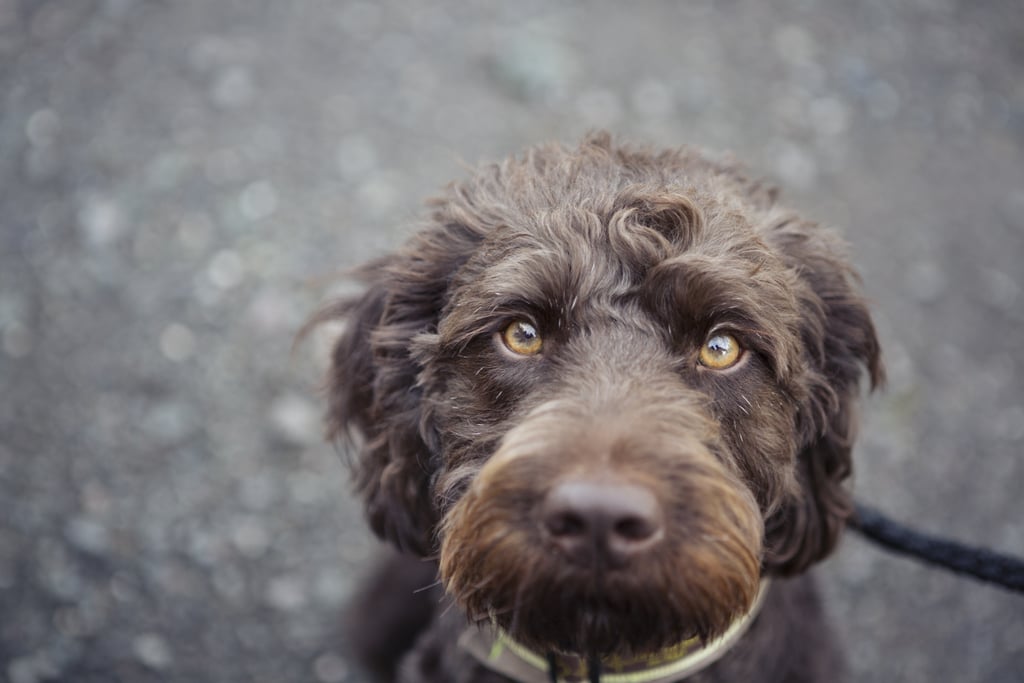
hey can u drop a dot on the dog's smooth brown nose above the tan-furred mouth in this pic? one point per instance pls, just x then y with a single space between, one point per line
601 523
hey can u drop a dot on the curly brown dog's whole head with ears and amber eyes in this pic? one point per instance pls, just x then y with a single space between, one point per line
612 390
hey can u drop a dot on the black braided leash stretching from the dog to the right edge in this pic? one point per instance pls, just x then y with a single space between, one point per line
982 564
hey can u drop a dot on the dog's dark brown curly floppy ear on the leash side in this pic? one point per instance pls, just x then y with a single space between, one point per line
841 347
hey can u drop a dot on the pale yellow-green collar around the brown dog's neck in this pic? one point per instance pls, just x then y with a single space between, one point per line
493 648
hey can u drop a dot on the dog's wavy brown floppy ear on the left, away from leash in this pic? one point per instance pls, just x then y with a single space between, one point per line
376 394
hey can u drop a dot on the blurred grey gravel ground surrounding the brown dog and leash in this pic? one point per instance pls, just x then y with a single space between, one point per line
182 181
